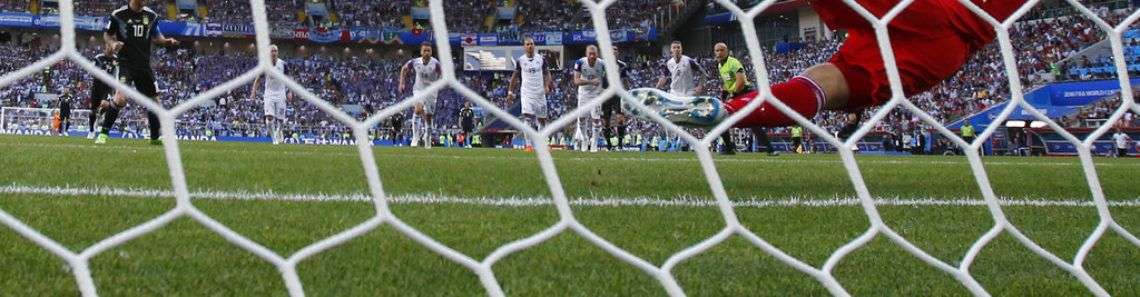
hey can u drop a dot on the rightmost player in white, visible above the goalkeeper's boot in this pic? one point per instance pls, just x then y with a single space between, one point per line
681 72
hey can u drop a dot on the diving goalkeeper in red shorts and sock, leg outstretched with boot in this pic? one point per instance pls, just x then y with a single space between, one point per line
932 40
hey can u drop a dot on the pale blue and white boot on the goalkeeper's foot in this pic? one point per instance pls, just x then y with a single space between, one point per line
696 112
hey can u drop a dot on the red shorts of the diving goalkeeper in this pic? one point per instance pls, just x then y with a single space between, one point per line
932 40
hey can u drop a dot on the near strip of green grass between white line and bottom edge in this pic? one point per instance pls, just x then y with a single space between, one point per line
185 259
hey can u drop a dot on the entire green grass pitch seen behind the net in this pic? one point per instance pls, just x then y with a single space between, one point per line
184 259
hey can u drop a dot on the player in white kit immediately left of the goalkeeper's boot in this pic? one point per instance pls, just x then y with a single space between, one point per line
589 75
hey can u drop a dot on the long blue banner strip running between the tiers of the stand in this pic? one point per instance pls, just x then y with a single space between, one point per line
341 35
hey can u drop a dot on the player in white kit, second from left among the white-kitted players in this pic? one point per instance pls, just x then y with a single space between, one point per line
428 71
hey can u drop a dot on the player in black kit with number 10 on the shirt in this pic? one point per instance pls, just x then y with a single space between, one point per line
135 29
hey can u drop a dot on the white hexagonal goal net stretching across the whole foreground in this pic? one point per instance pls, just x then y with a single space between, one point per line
288 265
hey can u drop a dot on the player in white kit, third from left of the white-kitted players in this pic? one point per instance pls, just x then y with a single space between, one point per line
536 84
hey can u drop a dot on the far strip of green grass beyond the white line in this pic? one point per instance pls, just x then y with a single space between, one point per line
506 174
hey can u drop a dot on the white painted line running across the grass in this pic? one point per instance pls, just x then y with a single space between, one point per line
532 202
